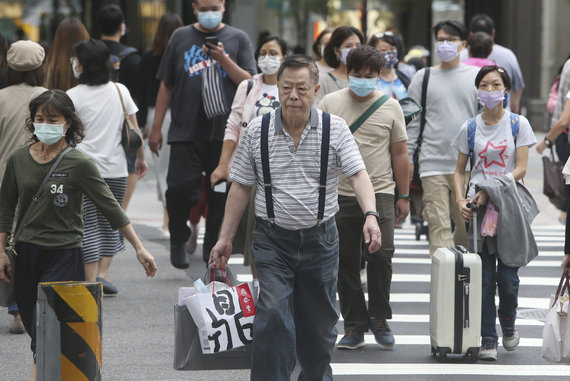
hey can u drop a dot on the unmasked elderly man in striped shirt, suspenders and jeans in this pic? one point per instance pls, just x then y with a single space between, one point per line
295 155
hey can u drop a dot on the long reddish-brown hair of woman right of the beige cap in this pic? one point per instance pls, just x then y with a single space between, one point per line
59 74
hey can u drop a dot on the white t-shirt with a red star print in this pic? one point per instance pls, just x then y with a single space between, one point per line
494 148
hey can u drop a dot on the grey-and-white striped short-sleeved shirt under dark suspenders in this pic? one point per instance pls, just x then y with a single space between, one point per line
295 173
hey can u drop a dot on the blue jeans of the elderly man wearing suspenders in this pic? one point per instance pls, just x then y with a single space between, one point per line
302 263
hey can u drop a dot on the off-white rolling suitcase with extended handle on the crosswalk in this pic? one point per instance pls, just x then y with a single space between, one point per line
455 302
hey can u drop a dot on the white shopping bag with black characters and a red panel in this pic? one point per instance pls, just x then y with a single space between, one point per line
224 317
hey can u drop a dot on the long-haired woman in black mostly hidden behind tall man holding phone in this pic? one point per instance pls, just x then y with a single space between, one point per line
150 61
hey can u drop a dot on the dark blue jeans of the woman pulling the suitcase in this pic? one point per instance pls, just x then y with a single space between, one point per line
497 275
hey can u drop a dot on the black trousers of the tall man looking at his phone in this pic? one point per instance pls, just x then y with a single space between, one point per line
184 190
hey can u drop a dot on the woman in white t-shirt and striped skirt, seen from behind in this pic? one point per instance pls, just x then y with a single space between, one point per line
98 103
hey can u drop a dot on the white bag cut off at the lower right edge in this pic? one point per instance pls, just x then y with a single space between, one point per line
556 332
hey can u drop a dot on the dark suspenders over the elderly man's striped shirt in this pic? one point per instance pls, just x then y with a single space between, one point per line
325 145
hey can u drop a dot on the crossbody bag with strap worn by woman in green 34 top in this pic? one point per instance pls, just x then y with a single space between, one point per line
7 290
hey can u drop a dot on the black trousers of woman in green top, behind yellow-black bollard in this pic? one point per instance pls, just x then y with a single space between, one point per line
35 264
